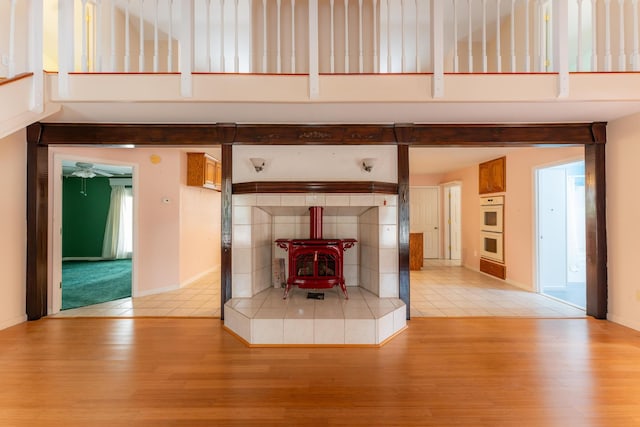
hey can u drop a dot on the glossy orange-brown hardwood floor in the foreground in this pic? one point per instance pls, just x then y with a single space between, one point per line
190 372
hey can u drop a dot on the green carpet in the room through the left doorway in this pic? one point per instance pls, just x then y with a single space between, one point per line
92 282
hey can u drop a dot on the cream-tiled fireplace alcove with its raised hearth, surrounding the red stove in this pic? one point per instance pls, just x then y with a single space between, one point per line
258 314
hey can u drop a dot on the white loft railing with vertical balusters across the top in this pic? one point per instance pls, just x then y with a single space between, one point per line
314 37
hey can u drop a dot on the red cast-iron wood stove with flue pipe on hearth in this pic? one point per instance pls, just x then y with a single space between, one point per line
315 263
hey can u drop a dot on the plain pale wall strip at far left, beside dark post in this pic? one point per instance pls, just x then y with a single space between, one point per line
13 229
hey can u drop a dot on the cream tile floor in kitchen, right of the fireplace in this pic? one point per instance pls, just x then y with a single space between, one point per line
441 289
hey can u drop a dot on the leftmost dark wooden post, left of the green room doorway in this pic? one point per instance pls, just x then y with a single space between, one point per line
37 225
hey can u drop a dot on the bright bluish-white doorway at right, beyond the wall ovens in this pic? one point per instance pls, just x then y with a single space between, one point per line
561 243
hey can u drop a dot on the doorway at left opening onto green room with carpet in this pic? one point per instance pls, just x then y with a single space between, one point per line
93 204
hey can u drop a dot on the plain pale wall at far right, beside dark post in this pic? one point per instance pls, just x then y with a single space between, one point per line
623 228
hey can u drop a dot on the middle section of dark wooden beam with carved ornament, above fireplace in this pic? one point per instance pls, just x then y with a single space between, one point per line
314 134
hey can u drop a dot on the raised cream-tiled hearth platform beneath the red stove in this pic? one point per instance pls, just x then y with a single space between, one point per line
268 319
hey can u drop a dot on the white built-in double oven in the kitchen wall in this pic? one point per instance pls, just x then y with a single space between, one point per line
491 232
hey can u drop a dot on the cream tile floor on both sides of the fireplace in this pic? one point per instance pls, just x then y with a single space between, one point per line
439 290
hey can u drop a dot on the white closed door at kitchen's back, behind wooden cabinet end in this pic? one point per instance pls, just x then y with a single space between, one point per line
424 218
